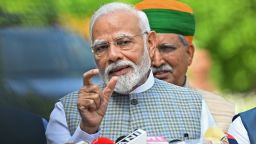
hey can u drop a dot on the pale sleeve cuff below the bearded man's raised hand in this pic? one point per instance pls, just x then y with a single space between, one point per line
80 135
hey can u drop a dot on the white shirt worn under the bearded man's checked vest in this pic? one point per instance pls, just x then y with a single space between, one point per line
57 131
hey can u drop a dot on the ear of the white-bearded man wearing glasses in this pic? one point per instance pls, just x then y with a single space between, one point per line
151 43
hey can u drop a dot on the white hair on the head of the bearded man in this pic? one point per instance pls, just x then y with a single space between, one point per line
117 6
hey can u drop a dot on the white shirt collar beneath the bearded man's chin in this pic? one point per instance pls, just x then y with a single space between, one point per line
147 85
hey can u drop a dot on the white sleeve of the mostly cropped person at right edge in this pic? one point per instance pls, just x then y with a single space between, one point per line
238 131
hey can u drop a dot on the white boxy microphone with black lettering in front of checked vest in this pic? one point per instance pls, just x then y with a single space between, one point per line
138 136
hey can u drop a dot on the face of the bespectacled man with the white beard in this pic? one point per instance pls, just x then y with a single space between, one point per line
118 47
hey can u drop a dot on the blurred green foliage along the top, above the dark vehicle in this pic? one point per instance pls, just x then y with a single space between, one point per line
46 12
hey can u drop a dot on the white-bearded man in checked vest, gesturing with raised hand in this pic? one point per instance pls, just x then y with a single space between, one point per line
130 98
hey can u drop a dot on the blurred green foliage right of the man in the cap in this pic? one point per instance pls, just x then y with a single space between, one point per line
226 29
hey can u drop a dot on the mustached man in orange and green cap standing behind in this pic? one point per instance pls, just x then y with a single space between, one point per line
175 26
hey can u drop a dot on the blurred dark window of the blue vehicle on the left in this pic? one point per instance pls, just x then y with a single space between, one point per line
45 51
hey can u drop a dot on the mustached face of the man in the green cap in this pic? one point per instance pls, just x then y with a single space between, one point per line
171 59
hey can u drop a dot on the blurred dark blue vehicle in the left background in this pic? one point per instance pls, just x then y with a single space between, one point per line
47 62
